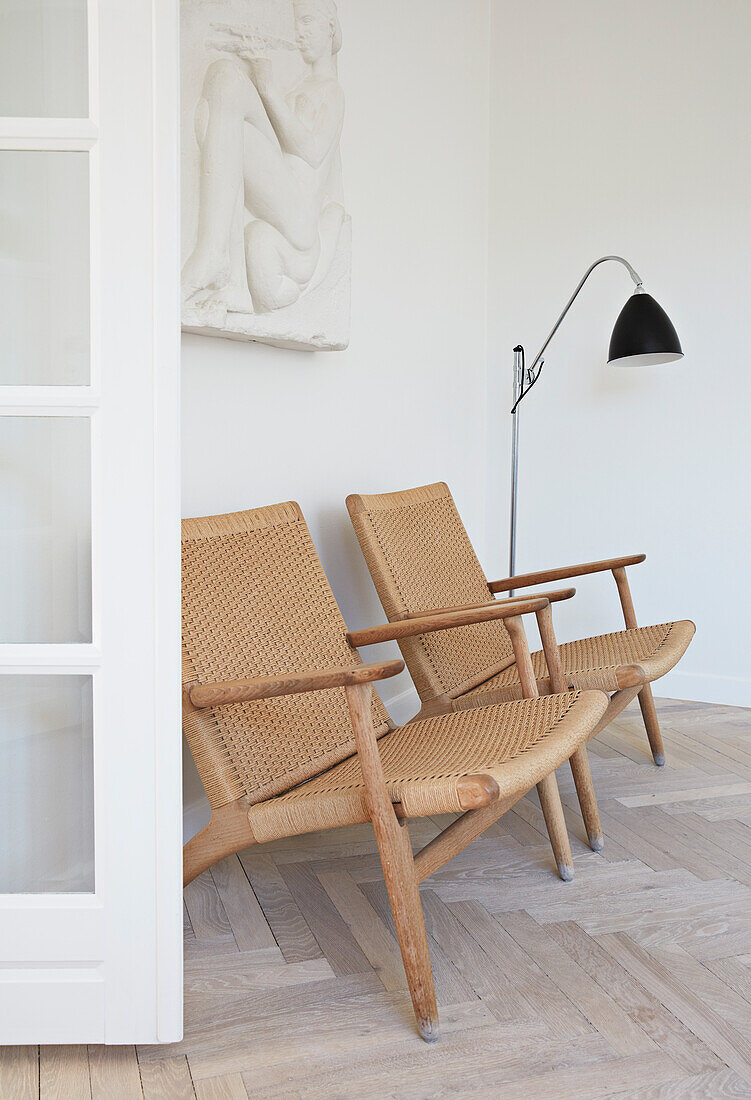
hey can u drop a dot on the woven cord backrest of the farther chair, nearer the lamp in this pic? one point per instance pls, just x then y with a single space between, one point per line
421 558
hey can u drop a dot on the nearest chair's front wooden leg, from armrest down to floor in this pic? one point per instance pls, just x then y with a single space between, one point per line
399 864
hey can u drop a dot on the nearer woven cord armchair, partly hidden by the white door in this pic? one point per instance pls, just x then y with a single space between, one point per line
289 738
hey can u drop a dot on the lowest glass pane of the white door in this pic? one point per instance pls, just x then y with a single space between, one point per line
47 785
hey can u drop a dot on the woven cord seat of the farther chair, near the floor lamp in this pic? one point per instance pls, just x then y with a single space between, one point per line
594 663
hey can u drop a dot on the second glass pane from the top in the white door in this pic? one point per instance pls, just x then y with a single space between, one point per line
45 269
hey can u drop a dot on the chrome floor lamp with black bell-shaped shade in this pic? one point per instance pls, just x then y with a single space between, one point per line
644 336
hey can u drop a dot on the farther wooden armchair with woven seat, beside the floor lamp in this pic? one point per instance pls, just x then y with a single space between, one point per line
421 557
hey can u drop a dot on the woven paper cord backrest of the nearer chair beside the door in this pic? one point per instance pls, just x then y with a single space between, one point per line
257 602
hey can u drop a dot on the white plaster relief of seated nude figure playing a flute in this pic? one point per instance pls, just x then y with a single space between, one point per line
267 238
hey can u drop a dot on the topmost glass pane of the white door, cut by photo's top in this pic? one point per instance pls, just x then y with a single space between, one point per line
43 59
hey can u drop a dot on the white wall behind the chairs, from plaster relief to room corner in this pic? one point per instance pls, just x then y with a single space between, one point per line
406 403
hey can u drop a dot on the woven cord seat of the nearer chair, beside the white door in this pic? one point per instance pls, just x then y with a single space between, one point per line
516 744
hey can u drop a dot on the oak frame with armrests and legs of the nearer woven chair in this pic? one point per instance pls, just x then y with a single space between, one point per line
230 829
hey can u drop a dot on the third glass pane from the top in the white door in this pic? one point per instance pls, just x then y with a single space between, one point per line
46 535
